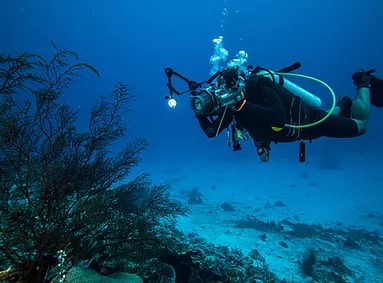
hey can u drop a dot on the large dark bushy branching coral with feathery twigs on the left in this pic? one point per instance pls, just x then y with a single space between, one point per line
64 190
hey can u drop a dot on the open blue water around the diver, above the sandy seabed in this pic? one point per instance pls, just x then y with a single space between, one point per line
133 41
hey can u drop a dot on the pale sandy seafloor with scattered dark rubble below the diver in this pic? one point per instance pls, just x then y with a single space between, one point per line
282 209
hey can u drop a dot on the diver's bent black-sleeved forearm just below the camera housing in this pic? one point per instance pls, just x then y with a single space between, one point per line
210 126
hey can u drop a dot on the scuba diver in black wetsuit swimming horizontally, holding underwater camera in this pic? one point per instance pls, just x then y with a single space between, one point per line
257 103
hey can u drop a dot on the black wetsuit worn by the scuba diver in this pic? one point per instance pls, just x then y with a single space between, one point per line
270 106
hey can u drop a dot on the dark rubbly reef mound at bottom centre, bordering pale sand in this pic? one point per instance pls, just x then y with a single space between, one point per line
199 261
